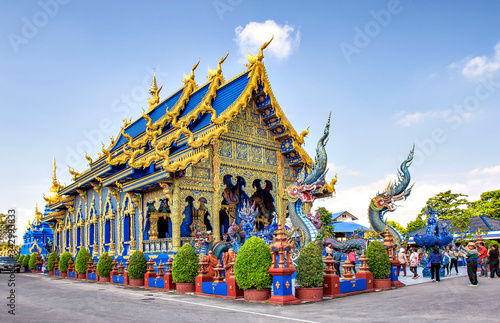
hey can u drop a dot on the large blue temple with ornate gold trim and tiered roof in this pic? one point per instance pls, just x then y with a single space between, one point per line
181 172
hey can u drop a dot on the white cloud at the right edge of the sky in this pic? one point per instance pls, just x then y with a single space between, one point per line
480 65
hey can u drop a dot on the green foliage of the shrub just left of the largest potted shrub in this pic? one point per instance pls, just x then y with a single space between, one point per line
185 266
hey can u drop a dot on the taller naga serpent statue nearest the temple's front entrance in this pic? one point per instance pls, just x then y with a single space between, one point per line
301 191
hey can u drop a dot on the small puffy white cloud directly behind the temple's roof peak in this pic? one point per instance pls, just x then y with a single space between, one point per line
254 34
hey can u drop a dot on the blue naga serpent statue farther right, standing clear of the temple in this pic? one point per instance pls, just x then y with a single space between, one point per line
385 202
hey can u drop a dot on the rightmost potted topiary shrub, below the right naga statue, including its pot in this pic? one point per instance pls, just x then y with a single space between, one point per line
380 265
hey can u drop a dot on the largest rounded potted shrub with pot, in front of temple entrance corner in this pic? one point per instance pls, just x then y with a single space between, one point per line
251 270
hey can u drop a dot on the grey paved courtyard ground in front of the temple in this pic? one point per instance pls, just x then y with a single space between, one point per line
40 298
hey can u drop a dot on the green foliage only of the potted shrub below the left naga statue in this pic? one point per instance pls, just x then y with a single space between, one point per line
310 266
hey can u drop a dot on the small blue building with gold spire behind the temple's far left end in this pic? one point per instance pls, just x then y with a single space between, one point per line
38 236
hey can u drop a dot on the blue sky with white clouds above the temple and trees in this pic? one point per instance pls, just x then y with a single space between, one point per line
393 73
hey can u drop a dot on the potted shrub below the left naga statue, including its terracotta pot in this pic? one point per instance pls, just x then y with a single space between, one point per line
310 273
